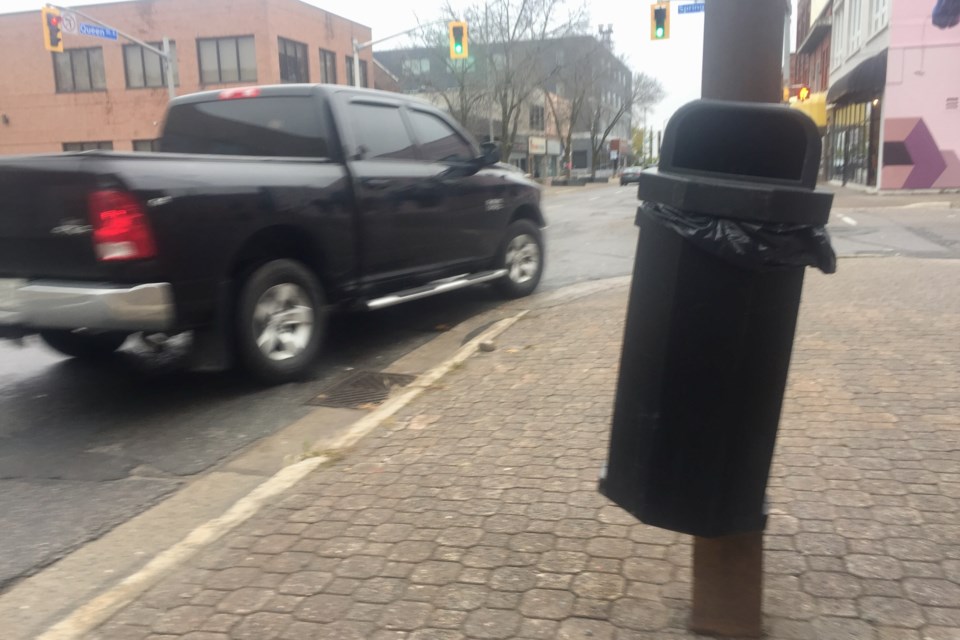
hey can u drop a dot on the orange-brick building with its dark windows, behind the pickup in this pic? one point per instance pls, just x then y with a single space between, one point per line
112 94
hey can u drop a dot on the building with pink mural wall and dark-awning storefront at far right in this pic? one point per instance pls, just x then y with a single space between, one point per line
894 97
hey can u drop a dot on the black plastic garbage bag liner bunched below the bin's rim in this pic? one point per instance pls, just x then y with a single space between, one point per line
748 244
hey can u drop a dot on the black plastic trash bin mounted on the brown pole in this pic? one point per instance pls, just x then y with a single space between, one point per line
729 221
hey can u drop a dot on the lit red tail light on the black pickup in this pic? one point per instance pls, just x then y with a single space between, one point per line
121 231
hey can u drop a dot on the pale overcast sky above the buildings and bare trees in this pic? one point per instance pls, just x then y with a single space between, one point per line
676 62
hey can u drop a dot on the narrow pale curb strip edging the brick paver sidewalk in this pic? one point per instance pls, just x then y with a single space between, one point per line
87 617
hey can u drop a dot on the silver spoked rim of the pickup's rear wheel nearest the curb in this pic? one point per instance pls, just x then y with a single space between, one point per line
283 321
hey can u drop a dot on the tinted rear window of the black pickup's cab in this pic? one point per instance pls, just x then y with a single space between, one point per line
291 126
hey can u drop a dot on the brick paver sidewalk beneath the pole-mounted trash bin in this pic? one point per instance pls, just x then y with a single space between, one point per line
475 513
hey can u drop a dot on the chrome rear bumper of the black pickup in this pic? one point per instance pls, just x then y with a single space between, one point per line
43 304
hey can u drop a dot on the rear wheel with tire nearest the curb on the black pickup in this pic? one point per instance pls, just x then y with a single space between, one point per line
281 318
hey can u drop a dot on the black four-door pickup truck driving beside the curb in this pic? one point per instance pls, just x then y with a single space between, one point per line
266 208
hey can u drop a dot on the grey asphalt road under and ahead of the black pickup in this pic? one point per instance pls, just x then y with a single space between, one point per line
84 448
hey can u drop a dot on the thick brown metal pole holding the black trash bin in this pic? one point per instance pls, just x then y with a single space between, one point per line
743 44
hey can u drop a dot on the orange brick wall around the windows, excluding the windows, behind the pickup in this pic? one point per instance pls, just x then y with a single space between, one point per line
41 120
